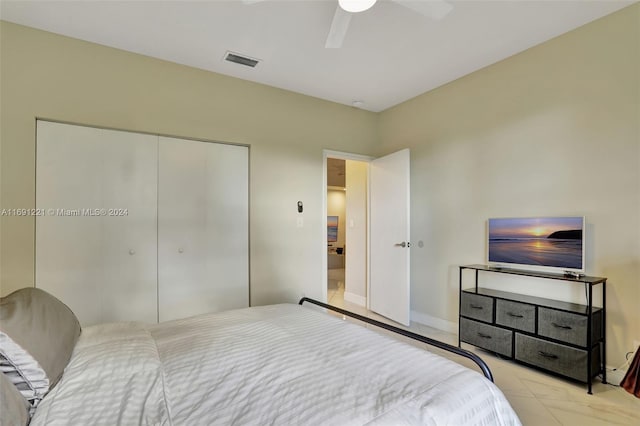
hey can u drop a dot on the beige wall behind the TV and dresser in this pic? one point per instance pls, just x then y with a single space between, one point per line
554 130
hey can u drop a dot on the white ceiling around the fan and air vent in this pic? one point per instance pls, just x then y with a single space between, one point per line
390 53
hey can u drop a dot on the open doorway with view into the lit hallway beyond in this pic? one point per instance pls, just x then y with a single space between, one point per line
346 206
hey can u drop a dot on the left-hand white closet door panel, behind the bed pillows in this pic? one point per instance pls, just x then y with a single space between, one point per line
96 240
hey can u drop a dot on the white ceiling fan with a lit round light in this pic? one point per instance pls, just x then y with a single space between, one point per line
433 9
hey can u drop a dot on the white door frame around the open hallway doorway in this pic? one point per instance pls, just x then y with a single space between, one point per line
340 155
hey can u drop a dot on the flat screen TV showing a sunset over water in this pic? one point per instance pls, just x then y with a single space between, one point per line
546 244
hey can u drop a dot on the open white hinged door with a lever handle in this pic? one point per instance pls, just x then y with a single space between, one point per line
389 291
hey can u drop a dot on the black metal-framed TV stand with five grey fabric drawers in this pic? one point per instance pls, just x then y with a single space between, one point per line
564 338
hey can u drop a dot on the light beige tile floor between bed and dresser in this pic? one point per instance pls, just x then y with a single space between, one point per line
538 398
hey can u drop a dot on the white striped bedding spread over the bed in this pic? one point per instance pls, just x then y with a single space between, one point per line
271 365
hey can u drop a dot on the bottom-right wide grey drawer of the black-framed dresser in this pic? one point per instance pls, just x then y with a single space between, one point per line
555 357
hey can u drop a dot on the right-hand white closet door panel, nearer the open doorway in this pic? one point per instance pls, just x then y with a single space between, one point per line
203 240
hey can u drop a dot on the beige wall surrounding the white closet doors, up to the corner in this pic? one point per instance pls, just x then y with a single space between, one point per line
49 76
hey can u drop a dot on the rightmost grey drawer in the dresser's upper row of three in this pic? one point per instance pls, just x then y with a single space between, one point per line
564 326
